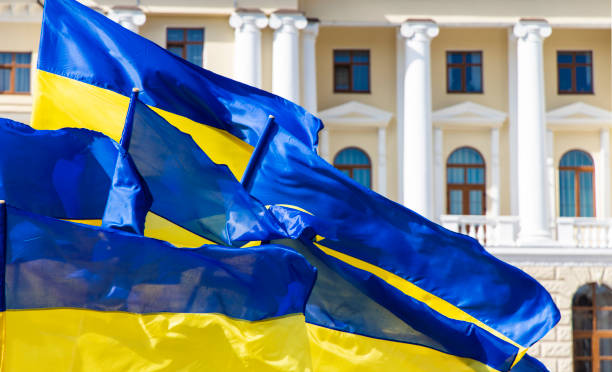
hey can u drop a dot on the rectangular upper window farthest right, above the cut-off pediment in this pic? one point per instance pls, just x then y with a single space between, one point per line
575 72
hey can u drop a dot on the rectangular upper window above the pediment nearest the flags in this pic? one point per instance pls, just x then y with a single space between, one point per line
352 71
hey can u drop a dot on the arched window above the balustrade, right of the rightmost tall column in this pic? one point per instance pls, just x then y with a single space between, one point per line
576 186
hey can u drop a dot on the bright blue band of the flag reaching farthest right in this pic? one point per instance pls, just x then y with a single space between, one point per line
359 223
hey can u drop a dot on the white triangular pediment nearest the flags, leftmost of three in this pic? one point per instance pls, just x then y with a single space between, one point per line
355 114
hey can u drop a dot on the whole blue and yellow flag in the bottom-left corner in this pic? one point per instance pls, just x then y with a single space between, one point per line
84 298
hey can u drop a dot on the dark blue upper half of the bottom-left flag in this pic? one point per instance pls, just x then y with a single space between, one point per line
95 268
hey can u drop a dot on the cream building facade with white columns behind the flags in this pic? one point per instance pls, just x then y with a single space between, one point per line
490 117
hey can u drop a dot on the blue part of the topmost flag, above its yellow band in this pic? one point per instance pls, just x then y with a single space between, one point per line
84 45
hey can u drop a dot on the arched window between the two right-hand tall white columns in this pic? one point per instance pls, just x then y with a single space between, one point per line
465 182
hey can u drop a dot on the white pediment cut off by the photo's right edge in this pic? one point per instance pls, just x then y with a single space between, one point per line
578 115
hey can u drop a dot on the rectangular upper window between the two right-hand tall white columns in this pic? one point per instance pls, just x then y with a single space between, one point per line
464 72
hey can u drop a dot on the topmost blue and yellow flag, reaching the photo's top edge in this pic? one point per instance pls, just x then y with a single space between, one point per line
88 65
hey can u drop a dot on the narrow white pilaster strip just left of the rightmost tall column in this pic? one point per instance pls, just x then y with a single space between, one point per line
512 130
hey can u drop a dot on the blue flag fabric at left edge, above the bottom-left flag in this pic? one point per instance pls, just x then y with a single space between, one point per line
63 173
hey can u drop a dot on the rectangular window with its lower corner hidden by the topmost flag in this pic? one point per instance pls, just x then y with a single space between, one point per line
187 43
